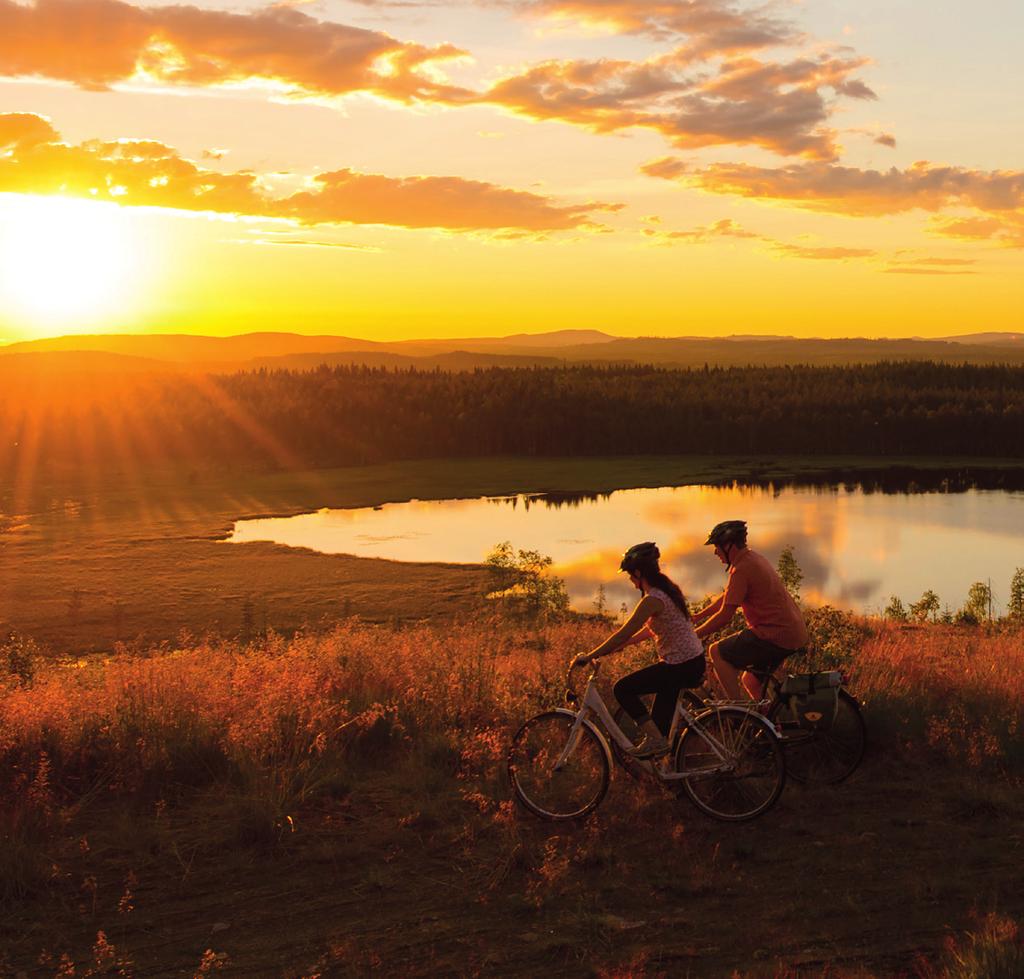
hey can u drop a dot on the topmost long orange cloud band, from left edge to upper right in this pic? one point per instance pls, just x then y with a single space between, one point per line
707 92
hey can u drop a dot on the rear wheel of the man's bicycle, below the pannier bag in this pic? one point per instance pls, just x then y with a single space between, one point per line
823 757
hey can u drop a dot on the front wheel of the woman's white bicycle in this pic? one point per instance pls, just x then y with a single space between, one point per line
574 791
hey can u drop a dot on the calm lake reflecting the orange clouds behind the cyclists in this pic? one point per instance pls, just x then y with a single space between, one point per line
856 548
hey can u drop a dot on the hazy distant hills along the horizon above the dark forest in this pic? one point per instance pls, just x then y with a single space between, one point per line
302 353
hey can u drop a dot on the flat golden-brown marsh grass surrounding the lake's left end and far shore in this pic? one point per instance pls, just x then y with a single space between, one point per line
130 557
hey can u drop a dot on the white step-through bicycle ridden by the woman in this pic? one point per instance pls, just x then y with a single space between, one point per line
728 758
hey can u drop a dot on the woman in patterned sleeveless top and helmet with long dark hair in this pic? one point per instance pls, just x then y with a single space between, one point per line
663 616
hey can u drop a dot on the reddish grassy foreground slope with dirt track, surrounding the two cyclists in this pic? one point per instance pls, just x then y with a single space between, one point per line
335 804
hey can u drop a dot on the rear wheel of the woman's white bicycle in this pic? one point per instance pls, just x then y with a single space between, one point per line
753 784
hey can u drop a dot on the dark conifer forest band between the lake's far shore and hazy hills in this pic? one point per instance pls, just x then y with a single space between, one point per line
346 415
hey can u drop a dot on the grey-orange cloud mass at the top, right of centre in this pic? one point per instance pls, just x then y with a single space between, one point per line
708 91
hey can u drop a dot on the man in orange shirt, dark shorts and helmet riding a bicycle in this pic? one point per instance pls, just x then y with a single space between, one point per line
776 627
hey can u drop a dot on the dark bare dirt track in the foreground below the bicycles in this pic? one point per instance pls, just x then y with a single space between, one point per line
867 876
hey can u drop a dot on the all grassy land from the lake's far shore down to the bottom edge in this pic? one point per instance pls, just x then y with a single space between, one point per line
266 761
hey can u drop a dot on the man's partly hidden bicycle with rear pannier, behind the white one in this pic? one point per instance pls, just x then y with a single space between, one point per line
825 755
